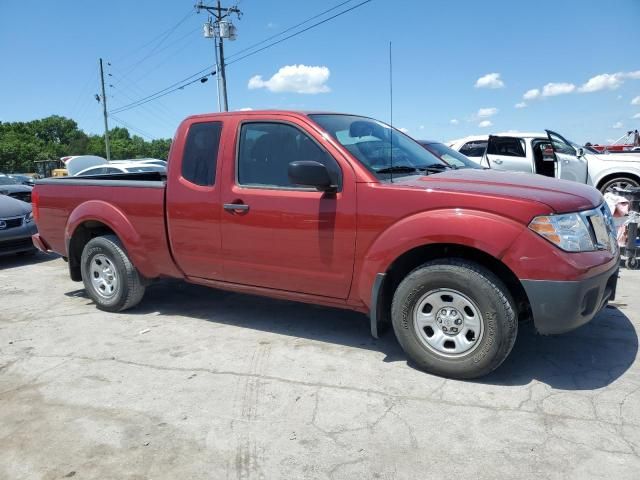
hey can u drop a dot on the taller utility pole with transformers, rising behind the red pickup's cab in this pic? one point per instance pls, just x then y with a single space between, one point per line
220 29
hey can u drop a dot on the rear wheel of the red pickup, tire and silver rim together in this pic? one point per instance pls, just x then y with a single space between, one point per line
109 277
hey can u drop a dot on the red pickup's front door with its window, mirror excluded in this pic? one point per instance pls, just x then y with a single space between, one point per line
287 238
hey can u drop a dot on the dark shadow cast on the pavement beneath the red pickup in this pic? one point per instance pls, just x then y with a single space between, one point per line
589 358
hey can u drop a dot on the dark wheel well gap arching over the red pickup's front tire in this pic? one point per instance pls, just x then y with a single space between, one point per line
412 259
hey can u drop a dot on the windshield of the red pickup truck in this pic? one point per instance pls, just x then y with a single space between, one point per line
384 151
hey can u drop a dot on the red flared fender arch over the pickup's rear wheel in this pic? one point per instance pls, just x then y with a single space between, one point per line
117 221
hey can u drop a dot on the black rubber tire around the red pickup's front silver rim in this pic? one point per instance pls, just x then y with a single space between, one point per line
476 283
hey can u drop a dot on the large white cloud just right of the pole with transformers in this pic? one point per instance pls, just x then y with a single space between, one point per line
296 79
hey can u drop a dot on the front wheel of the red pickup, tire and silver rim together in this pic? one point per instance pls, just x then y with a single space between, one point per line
454 318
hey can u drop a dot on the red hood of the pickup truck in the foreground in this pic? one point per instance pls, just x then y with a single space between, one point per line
560 195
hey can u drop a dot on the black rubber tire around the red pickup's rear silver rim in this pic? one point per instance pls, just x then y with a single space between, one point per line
130 286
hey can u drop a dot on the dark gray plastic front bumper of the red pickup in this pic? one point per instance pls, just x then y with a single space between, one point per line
561 306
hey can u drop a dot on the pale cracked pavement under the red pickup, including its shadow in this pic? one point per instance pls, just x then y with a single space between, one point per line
203 384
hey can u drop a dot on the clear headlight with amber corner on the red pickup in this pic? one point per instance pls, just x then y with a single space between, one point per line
568 231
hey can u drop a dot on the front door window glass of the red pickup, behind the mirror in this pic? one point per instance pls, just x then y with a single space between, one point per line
266 149
